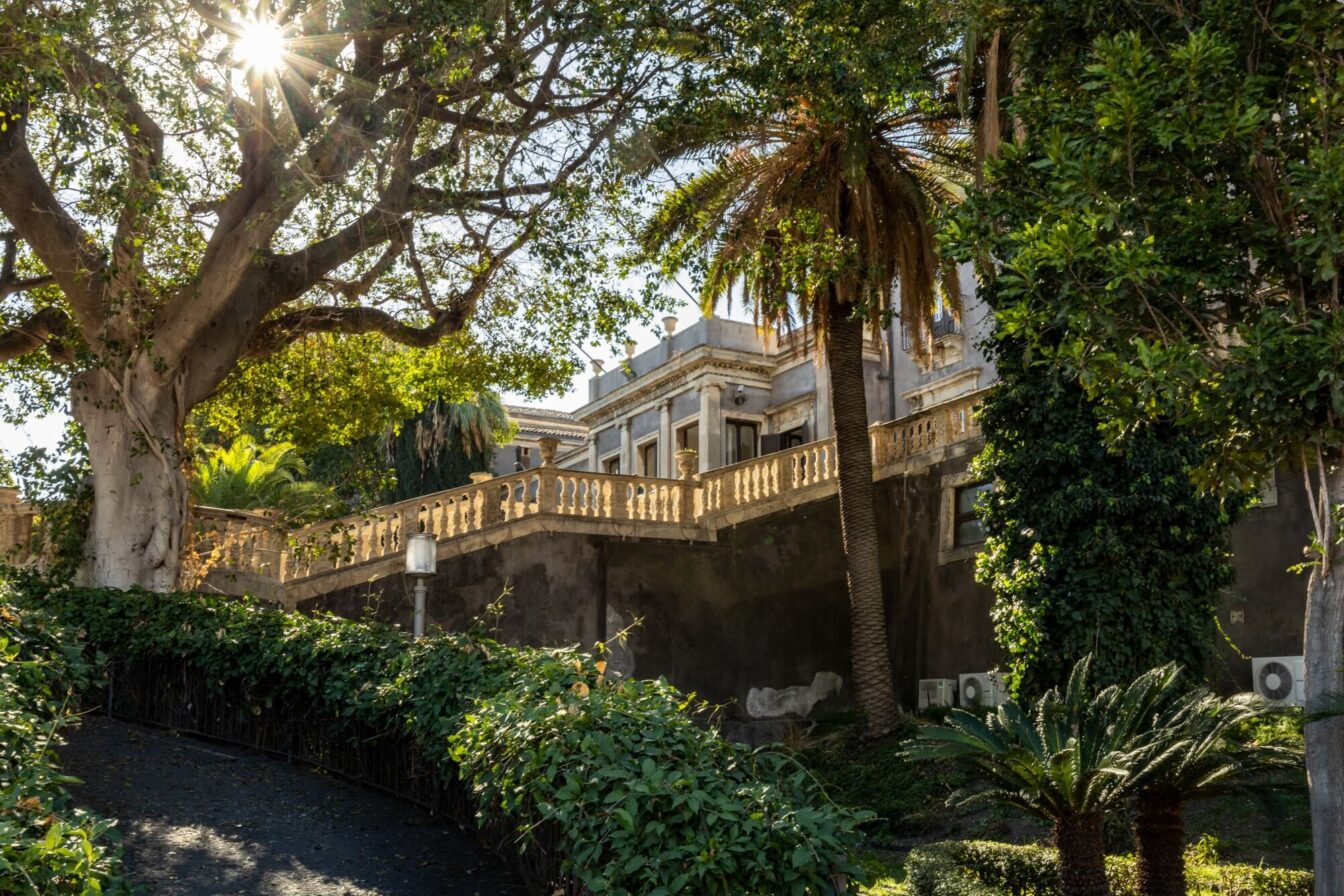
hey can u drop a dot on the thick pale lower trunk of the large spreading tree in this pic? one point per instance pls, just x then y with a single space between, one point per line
135 433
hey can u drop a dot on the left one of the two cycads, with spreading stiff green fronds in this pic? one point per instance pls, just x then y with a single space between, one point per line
1070 761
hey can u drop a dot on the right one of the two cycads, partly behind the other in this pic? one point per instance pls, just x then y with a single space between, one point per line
1191 754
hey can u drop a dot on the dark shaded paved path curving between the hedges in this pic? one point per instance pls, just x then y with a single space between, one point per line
202 820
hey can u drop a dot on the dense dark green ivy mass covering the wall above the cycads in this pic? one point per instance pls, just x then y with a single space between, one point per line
1089 543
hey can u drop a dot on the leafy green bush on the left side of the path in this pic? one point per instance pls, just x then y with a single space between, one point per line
48 847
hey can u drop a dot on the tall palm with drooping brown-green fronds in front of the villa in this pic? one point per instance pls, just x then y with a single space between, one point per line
815 220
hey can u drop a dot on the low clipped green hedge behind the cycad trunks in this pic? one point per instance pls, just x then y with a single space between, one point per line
986 868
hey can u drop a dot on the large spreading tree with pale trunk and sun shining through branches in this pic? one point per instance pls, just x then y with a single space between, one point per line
187 185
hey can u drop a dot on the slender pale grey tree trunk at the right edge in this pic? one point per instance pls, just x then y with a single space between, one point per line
1325 652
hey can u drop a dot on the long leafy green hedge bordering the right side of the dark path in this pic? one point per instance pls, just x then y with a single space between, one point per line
635 797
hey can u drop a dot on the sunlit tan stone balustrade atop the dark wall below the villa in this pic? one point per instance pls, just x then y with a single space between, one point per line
249 551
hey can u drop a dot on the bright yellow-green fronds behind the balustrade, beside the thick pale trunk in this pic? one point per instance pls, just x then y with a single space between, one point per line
247 476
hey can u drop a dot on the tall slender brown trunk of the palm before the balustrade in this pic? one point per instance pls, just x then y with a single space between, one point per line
870 651
